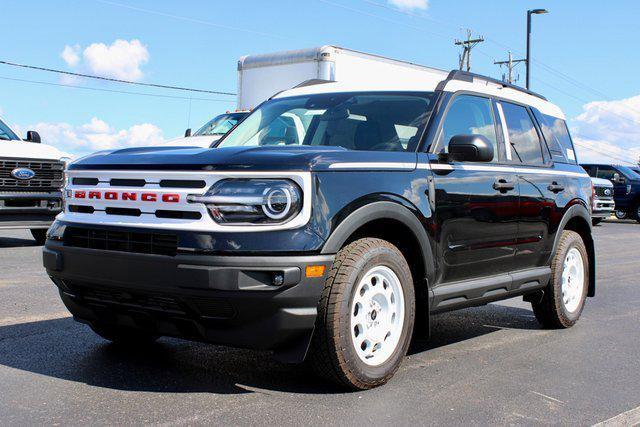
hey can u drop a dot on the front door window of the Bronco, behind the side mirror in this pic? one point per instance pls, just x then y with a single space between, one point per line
469 115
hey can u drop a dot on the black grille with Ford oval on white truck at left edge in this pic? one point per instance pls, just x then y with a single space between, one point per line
49 175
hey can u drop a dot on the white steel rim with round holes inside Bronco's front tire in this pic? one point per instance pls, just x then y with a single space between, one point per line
377 315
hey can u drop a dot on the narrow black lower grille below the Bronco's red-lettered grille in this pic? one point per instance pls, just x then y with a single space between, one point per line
122 241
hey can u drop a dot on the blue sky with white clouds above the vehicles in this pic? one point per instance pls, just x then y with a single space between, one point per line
583 59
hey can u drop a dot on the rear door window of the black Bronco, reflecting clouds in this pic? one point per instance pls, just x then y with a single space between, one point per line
522 135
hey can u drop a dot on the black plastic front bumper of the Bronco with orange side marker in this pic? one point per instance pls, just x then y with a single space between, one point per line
228 300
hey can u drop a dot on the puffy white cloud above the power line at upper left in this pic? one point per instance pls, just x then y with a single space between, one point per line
121 59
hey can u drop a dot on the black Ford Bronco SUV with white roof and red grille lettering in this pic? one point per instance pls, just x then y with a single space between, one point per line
331 223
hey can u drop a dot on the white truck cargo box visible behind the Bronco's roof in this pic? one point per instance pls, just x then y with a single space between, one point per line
262 76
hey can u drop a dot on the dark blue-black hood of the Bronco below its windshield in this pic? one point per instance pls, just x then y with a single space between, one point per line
290 158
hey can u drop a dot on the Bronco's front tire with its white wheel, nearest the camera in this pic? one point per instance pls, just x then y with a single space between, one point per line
368 282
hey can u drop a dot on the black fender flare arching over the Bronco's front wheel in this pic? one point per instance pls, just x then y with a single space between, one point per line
383 210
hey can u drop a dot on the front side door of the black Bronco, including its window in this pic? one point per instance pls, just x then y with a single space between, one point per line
476 204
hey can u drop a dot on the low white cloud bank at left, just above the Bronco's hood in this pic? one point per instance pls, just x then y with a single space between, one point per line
95 135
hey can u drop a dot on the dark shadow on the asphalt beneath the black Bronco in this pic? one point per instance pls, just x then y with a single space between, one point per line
64 349
